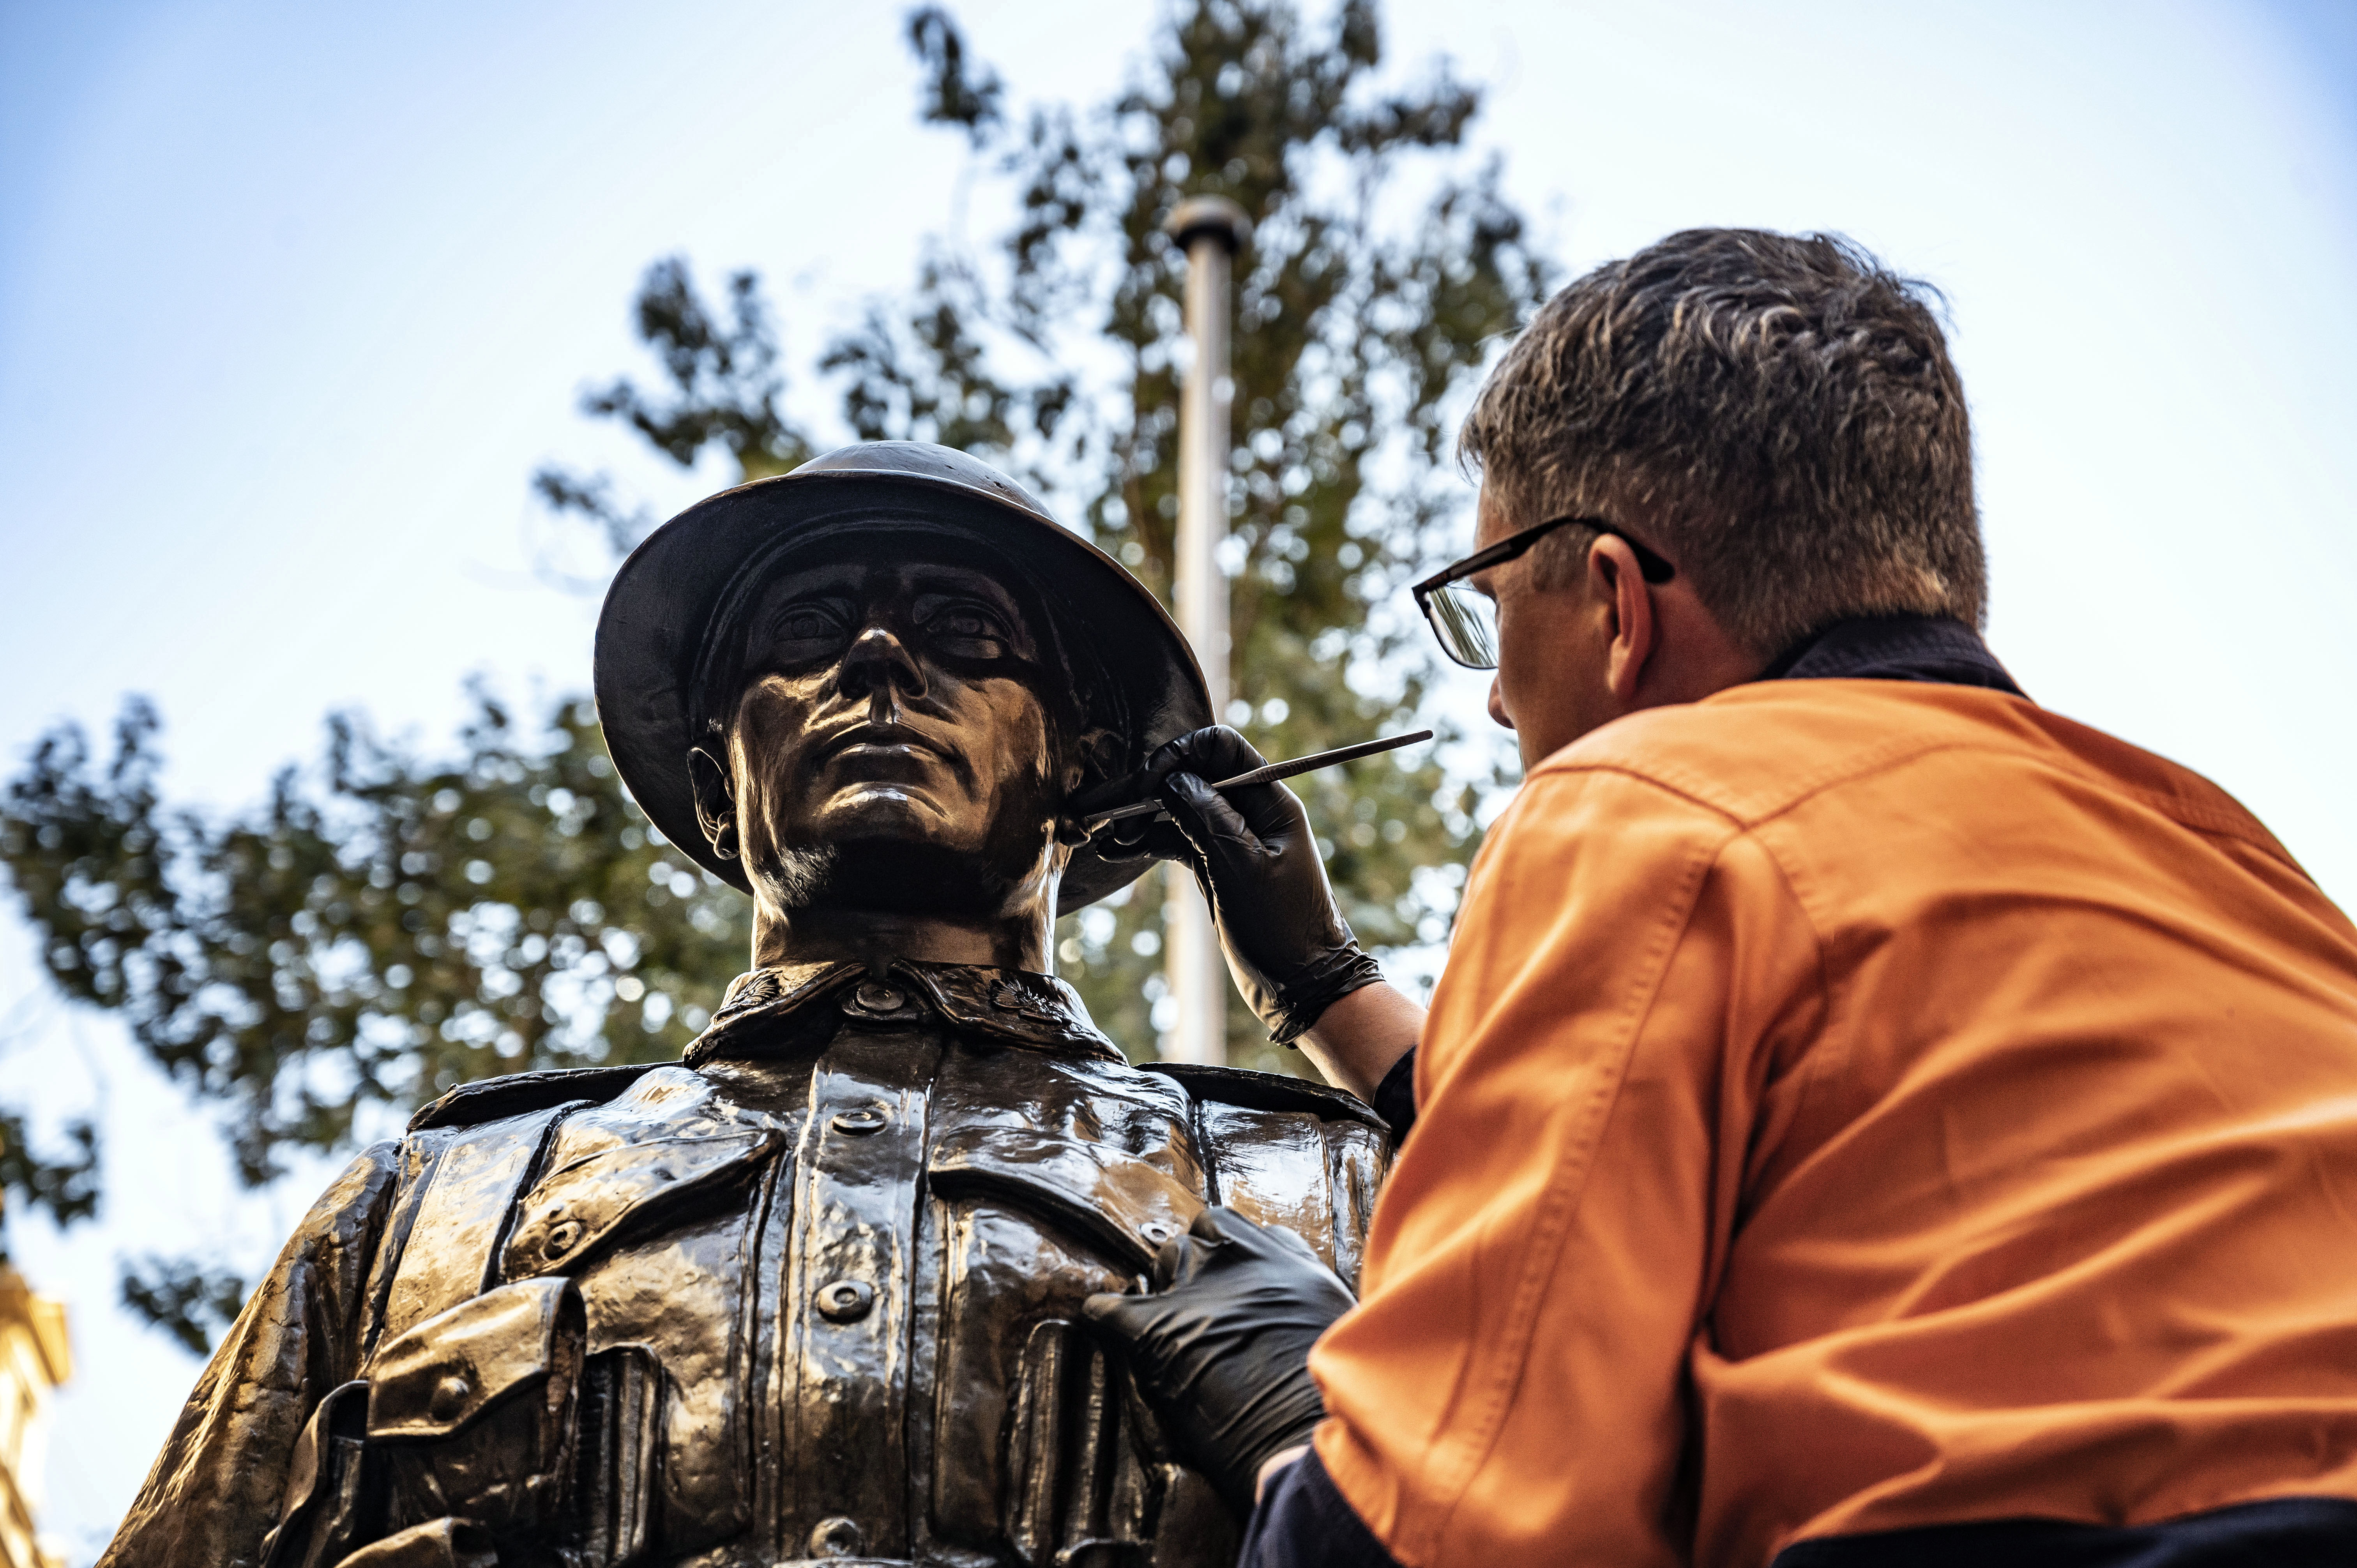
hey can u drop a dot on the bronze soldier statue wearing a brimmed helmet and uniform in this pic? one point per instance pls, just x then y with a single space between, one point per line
812 1291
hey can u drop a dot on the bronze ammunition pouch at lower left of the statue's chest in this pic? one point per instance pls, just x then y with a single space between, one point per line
484 1437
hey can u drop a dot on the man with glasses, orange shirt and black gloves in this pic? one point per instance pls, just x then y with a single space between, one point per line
1866 1119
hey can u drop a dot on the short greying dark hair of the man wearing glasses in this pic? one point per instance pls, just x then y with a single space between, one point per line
1776 414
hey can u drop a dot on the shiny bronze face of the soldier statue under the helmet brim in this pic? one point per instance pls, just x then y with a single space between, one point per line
892 744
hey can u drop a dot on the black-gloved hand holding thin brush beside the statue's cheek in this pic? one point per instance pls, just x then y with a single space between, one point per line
1257 864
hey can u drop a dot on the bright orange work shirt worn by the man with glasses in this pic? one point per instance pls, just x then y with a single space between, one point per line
1856 1107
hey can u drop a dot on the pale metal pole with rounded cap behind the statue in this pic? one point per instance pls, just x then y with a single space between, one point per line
1210 230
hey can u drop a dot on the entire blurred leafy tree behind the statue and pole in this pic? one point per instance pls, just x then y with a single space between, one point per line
388 925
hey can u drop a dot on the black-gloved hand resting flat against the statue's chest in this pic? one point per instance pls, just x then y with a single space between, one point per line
1222 1350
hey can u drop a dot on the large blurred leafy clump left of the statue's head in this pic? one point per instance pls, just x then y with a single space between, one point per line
381 930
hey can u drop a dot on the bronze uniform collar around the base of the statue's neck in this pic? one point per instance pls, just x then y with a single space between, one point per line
791 1006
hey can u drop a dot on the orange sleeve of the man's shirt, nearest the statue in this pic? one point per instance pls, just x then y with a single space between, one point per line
1628 973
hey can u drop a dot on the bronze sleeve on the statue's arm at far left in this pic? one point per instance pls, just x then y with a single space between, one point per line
218 1482
